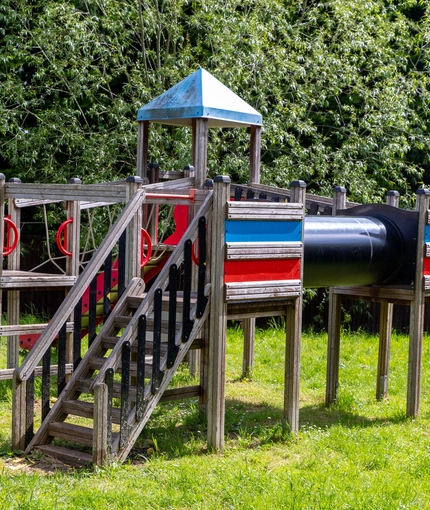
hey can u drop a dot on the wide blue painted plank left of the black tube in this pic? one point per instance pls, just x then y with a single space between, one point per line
242 231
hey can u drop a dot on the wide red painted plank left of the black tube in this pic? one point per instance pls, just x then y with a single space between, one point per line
260 270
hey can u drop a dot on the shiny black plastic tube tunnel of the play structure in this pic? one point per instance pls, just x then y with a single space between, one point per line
367 245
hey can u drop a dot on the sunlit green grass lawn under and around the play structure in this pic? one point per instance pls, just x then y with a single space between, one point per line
358 454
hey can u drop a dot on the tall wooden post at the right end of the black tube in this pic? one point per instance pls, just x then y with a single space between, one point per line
417 311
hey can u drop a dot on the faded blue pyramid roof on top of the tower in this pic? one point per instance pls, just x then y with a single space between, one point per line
200 96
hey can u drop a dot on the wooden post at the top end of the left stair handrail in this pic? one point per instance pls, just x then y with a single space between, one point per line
132 265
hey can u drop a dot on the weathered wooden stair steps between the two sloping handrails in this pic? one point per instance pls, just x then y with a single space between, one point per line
115 362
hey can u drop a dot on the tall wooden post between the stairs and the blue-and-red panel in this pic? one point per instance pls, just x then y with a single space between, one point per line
218 319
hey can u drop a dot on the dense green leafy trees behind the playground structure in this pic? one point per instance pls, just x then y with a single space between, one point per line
343 87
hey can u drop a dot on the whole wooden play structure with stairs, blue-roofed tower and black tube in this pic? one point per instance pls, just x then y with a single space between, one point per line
243 255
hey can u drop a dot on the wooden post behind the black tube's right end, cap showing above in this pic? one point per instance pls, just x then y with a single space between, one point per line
385 327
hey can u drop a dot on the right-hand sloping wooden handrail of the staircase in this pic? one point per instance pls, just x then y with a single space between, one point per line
160 282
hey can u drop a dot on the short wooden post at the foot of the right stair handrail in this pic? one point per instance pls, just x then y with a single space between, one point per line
100 427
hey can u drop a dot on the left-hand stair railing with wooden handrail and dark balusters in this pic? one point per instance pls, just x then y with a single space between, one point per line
23 394
